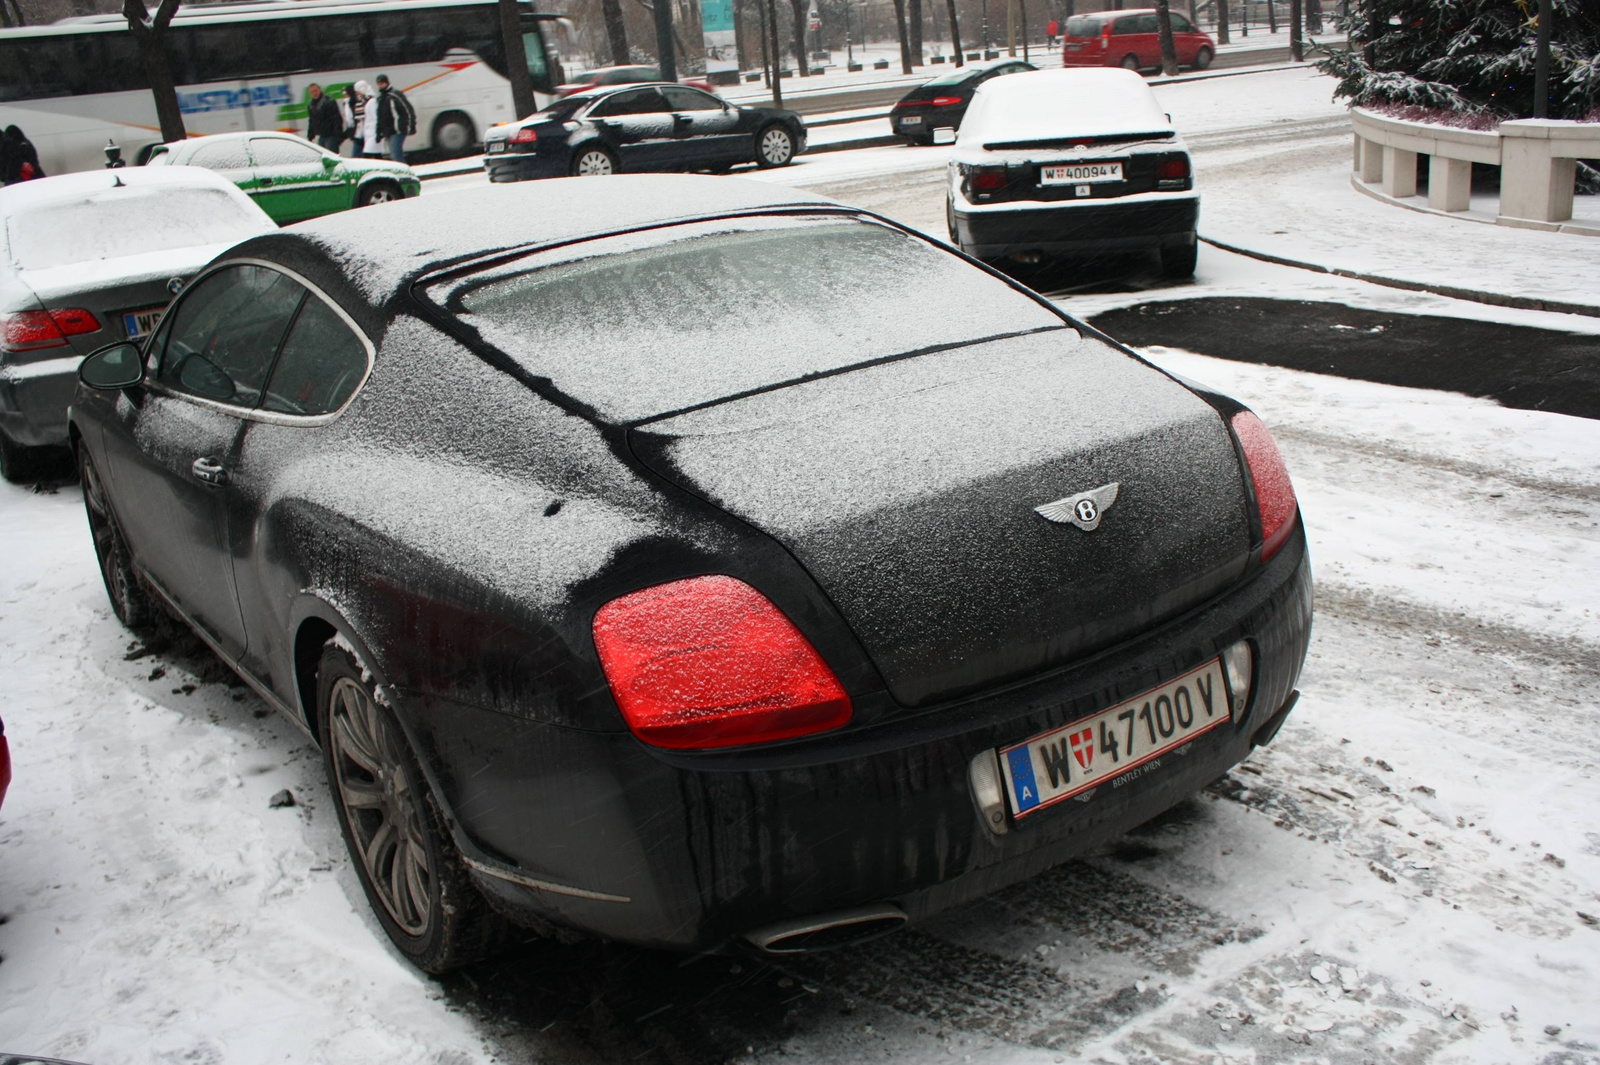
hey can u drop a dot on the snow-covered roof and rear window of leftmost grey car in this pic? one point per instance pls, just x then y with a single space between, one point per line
111 215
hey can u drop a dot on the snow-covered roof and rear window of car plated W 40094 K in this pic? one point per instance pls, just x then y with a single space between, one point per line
1055 105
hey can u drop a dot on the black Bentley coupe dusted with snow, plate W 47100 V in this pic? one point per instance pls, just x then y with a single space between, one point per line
644 567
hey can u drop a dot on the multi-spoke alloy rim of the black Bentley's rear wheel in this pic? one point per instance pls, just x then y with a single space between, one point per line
383 805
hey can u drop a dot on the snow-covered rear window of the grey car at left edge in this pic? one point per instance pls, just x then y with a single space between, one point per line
127 221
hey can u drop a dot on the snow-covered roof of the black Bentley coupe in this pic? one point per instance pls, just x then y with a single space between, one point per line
383 250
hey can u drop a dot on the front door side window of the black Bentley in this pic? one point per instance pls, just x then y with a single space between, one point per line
226 332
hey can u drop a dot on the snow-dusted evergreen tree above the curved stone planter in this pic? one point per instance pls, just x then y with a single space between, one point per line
1468 57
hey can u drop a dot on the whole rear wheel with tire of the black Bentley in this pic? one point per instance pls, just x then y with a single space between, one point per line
394 829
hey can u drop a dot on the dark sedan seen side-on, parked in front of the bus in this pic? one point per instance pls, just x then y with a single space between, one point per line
642 129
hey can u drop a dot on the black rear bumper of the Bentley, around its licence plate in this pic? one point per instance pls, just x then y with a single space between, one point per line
695 852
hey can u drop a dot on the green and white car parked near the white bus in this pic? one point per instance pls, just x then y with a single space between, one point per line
290 177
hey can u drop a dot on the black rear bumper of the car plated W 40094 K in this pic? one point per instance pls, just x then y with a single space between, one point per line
1151 221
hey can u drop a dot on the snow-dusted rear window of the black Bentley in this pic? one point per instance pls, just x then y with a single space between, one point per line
657 322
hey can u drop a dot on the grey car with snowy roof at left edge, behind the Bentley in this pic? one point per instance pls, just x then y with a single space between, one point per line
94 258
